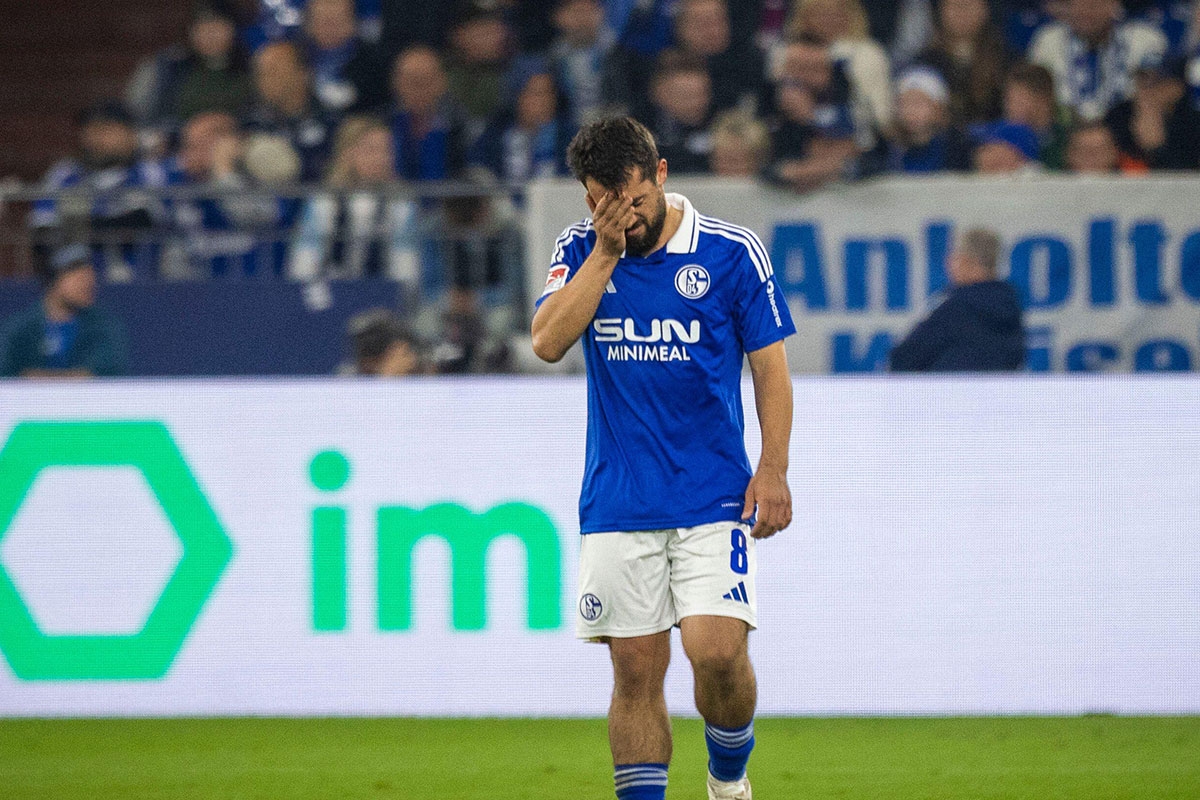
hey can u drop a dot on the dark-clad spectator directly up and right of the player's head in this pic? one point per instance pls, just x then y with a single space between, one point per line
681 111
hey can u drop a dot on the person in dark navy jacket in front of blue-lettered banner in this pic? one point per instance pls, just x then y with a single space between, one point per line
979 328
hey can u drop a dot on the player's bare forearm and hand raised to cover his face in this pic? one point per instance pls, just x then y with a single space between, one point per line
565 316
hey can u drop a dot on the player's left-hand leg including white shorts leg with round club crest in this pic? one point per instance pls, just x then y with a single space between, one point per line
626 600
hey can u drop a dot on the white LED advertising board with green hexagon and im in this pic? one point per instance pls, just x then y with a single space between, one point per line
277 548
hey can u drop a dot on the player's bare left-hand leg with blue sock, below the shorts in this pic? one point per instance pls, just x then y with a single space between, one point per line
639 726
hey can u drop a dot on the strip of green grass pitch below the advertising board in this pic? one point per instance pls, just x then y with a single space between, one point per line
987 759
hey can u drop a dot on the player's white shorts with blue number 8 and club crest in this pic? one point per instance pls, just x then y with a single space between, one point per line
645 582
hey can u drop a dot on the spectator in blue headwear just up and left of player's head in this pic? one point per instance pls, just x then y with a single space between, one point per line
531 140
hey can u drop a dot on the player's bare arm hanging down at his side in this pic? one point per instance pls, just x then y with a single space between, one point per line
773 400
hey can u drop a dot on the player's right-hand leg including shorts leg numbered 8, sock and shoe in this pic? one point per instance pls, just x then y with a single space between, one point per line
713 585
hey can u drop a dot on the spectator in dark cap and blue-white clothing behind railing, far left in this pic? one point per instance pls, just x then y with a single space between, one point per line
116 216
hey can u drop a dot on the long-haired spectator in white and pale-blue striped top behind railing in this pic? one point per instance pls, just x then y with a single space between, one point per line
359 228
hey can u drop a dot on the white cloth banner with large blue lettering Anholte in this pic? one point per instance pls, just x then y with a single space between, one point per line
1109 269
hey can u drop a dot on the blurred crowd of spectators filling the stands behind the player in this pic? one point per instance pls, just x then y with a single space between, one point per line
364 100
